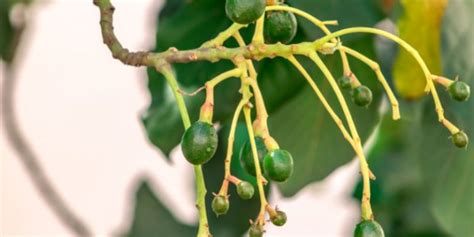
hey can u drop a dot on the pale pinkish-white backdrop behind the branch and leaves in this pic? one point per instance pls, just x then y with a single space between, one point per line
80 110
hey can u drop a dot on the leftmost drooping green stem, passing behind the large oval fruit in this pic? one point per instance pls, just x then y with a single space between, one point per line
200 184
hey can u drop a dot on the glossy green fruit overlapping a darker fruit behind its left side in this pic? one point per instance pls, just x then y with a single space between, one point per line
278 165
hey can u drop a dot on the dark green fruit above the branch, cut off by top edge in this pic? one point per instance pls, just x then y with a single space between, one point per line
244 11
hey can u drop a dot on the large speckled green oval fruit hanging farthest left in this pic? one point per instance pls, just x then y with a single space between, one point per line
199 143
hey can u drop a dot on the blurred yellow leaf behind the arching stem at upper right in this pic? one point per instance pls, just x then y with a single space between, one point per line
420 26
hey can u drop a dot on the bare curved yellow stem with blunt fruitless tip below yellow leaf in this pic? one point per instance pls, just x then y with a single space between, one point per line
376 68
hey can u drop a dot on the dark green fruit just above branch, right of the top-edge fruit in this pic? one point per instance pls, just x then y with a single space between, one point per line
280 27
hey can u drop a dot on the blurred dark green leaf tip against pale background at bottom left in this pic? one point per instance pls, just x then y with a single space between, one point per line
152 218
